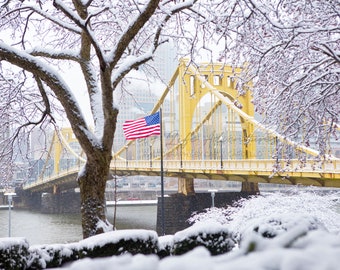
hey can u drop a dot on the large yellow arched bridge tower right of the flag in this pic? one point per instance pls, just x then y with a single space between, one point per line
194 85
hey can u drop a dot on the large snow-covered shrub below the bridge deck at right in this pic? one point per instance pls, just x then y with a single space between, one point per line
279 218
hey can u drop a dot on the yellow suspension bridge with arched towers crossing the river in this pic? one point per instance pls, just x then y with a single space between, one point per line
209 132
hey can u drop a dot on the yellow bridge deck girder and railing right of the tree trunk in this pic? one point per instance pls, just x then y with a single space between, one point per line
251 170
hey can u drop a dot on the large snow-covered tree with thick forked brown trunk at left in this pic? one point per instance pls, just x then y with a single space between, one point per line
105 40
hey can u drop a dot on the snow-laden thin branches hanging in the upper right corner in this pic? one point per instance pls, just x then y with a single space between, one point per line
292 50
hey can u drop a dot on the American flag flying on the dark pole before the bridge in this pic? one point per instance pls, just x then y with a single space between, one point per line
142 127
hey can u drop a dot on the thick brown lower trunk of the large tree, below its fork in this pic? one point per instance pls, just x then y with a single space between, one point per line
92 183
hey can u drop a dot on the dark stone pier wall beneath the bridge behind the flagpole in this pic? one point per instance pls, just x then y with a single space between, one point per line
178 208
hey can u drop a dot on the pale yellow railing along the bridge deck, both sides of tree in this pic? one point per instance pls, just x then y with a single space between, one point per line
329 169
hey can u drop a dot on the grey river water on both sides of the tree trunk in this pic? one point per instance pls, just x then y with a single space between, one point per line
40 228
